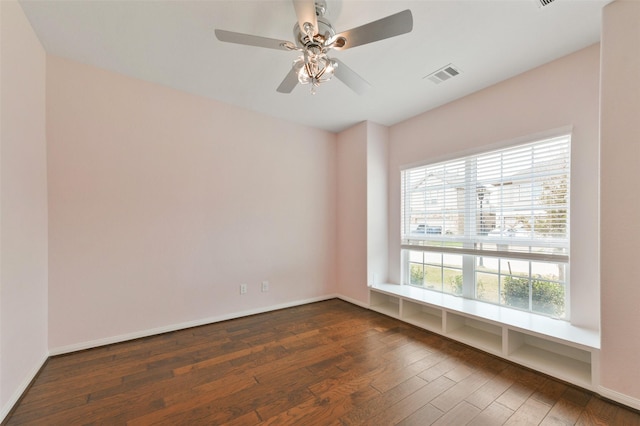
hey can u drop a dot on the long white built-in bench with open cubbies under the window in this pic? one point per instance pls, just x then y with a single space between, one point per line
552 346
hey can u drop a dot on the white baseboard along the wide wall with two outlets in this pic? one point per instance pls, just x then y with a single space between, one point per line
174 327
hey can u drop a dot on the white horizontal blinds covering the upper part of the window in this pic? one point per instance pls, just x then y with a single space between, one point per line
509 202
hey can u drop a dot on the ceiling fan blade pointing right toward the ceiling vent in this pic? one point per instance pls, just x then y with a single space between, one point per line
391 26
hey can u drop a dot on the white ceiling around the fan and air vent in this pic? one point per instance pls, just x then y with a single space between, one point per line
173 43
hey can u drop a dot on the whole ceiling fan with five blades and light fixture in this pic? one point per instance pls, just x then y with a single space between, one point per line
315 37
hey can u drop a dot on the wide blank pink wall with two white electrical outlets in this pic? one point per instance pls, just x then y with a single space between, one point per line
162 203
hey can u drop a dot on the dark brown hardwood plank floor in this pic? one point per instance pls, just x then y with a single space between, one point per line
318 364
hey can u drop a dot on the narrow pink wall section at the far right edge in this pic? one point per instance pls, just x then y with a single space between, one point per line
620 205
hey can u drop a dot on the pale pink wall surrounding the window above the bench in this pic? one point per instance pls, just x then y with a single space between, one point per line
561 93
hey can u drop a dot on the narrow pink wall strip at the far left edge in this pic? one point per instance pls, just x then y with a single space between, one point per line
23 206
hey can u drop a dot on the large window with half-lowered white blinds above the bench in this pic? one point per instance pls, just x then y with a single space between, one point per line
492 226
